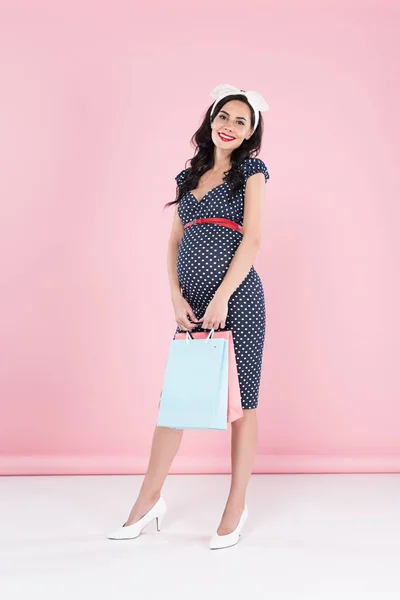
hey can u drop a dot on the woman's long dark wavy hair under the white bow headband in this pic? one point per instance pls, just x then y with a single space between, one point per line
203 159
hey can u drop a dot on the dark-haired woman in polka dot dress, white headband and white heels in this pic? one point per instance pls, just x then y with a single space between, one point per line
214 285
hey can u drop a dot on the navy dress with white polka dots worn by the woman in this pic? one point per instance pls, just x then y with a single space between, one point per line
204 256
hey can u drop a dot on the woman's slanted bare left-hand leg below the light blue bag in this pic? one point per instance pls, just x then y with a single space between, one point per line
165 445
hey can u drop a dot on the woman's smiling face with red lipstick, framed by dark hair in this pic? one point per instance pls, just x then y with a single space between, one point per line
232 125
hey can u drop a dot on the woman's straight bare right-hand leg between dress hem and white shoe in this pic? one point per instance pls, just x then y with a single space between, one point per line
244 439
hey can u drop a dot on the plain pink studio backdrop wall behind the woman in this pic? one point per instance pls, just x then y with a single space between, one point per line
98 102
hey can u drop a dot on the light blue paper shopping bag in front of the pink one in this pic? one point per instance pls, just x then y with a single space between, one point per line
195 387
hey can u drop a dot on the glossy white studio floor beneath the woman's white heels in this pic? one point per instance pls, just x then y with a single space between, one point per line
307 537
